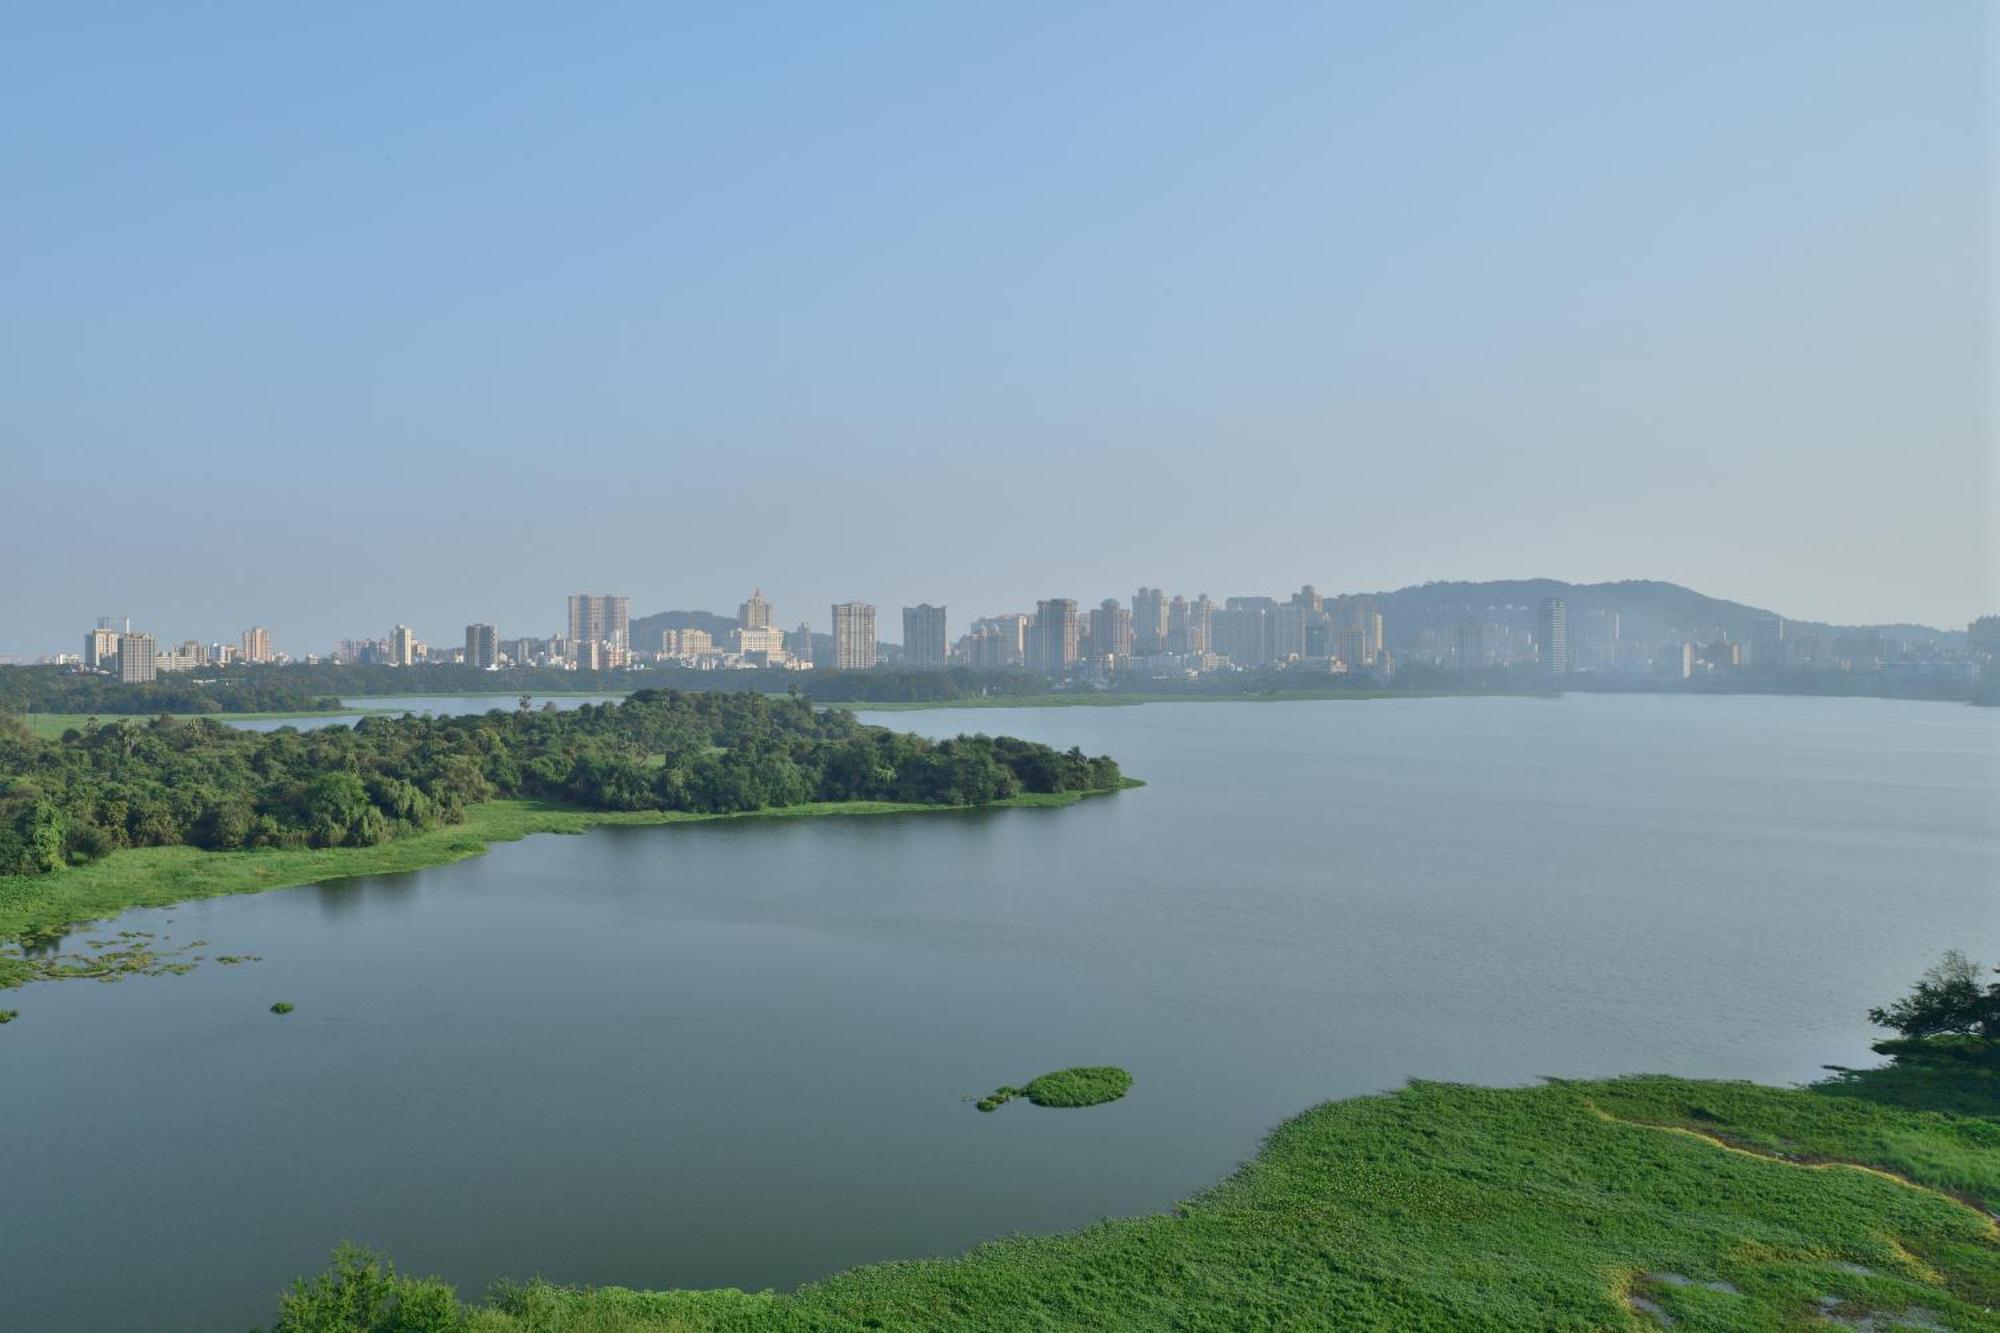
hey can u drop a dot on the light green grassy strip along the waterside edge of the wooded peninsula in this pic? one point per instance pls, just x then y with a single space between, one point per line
163 876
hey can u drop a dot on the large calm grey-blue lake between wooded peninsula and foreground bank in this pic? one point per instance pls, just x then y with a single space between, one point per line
743 1054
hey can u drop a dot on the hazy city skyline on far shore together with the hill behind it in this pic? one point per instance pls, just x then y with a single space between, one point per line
1055 637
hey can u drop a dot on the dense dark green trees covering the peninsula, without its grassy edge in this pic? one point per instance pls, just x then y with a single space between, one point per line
195 782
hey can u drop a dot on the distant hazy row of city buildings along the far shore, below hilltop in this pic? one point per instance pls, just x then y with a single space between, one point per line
1153 637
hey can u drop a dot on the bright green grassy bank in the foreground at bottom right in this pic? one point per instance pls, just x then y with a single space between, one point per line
1617 1204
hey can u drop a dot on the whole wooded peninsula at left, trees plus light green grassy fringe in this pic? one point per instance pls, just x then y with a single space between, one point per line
149 814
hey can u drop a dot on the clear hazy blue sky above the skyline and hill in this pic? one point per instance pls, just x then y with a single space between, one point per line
351 315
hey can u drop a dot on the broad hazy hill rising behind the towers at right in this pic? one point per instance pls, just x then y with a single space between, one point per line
1647 609
